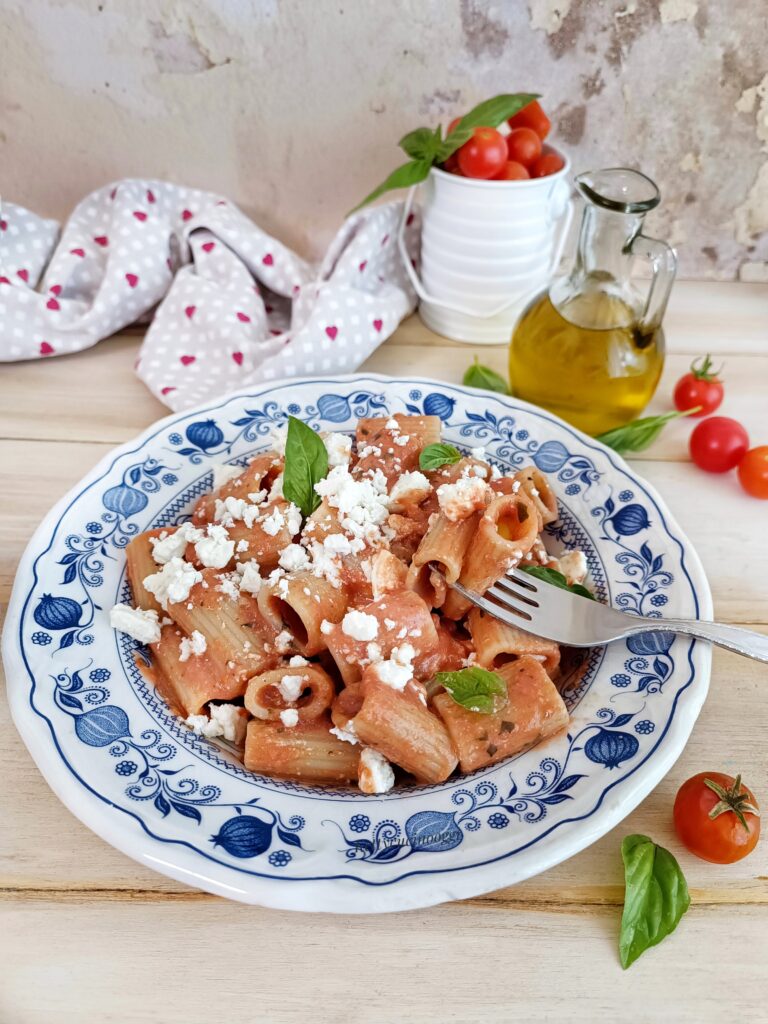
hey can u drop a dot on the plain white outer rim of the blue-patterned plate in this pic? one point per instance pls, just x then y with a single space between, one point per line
334 895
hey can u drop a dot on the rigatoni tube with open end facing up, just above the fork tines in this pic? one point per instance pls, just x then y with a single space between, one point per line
507 530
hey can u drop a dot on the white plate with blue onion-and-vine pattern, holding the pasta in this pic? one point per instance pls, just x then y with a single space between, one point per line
126 767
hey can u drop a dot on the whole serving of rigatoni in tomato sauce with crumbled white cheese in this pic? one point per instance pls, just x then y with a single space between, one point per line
331 630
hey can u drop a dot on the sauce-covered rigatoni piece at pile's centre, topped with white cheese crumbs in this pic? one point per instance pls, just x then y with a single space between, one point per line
402 618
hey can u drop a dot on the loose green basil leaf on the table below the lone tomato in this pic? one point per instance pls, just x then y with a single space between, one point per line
656 897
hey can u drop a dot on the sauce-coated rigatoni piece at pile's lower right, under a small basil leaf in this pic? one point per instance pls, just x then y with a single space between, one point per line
535 711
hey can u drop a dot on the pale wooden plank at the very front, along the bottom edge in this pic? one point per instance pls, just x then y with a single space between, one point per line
140 964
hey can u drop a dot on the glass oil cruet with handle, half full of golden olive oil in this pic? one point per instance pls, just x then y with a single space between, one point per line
591 348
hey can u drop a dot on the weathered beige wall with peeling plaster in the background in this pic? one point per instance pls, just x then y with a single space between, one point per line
293 108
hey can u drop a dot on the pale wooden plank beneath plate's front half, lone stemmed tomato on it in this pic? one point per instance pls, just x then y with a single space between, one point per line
726 739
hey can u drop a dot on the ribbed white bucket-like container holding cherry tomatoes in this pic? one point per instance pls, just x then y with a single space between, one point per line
487 248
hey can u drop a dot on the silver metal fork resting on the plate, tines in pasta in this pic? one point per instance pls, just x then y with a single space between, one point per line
522 601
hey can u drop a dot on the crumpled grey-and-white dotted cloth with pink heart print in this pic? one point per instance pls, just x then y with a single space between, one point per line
230 306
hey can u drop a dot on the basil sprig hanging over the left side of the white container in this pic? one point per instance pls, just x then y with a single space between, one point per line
426 147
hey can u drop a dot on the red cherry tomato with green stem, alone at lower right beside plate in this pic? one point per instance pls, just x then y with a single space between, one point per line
716 818
